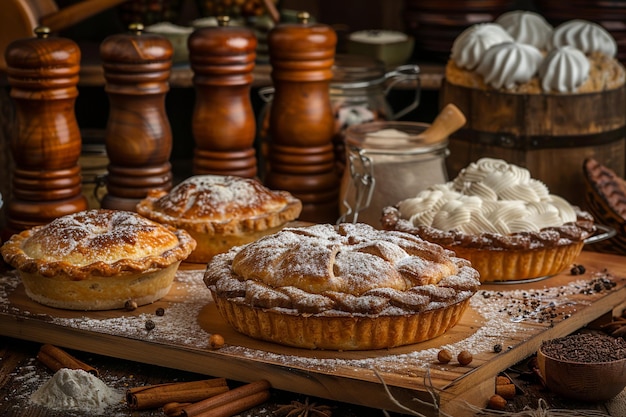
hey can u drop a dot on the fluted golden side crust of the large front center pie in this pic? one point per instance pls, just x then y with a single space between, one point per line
340 332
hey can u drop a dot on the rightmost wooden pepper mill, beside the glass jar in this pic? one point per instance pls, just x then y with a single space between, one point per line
301 123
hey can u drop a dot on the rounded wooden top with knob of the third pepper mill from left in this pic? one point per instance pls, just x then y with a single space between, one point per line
222 44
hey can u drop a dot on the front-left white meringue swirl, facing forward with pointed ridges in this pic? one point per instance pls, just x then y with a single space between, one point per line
509 63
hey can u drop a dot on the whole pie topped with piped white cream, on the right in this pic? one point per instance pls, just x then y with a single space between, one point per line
504 222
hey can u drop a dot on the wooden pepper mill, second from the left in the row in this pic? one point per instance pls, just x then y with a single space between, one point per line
138 136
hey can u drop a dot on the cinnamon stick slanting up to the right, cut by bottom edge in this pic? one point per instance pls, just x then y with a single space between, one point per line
231 402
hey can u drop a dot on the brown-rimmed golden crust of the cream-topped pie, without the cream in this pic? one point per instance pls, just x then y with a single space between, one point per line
515 257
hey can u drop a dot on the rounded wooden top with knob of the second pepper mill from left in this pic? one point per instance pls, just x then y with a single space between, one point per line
136 47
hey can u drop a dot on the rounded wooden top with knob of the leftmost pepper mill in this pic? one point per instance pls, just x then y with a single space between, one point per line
42 56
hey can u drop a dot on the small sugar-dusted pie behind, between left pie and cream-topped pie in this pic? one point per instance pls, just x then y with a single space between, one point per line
221 211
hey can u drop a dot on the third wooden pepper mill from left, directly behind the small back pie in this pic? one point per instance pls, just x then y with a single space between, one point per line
223 124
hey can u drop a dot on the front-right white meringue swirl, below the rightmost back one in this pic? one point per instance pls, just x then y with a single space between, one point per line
564 70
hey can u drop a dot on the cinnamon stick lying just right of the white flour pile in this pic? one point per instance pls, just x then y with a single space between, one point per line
154 396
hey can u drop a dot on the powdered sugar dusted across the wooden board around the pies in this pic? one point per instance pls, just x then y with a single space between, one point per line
504 313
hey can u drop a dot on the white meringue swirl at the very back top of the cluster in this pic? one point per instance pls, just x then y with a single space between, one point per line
527 27
